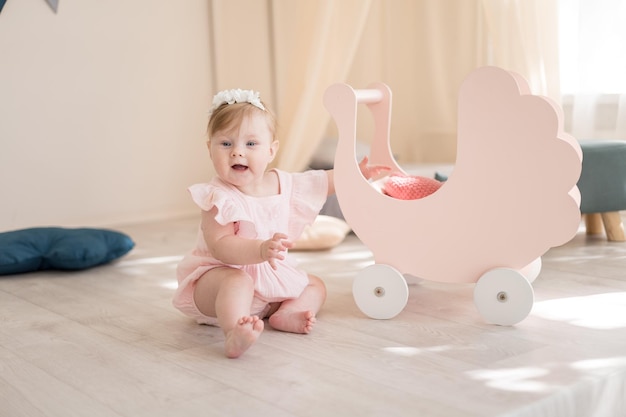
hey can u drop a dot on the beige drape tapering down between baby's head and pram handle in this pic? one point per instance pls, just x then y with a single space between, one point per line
327 34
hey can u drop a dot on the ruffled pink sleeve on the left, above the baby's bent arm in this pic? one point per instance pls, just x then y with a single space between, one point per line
229 207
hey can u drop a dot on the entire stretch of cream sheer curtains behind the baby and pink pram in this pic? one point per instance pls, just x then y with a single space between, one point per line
423 49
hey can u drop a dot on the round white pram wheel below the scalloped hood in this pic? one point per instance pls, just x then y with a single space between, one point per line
503 296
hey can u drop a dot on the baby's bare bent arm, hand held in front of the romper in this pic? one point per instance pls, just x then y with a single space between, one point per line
229 248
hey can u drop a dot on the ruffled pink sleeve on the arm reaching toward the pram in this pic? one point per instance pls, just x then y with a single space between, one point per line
309 193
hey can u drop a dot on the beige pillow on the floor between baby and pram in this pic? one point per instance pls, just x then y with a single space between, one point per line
325 232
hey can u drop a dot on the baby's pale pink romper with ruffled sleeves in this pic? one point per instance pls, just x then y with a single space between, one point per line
300 200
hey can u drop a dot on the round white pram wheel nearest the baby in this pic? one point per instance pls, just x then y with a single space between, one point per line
380 291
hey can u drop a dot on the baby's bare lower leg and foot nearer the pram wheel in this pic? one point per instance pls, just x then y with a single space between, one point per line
298 315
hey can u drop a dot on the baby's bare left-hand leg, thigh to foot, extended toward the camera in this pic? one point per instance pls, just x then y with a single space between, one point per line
226 293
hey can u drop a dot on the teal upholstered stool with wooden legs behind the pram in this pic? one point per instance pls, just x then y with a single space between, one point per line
602 186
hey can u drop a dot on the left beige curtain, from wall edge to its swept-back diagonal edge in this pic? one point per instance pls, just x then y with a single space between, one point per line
289 51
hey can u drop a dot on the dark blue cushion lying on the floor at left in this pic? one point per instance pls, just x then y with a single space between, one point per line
44 248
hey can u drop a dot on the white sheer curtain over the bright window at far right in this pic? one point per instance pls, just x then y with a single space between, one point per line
593 67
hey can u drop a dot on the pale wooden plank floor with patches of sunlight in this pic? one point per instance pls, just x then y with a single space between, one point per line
106 342
